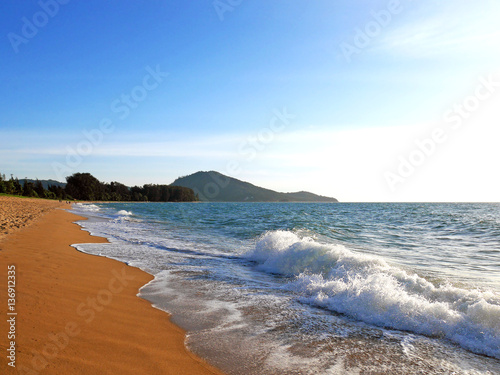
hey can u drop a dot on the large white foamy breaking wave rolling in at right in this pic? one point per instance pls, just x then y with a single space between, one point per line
367 288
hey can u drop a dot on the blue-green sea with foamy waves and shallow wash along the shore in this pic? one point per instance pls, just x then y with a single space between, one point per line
292 288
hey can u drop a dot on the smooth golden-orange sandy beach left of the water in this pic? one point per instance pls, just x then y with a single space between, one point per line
74 313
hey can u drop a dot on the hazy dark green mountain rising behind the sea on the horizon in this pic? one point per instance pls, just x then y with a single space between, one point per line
215 187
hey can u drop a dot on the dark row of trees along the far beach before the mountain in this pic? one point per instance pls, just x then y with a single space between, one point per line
84 186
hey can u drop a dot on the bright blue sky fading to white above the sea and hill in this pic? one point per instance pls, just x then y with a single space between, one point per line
360 100
